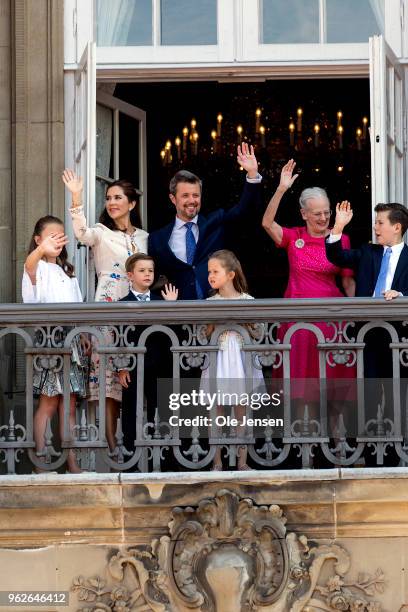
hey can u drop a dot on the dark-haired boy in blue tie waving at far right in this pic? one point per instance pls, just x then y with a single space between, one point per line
381 271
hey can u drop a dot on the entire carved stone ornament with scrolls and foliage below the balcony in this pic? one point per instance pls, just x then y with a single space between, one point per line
229 555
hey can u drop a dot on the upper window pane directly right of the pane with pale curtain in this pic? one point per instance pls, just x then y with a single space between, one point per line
187 22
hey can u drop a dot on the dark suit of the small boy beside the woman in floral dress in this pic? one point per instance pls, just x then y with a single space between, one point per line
156 365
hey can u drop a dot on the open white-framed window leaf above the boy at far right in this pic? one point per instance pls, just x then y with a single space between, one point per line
388 115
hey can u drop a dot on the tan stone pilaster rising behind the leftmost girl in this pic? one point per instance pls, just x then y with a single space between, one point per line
38 117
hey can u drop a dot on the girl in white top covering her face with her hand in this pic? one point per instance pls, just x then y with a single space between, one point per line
48 278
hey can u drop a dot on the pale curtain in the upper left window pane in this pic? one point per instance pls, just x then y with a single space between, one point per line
114 18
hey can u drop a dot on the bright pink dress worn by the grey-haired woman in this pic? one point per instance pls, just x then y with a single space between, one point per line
311 275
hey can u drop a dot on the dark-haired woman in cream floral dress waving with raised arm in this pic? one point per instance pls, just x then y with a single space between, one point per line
113 240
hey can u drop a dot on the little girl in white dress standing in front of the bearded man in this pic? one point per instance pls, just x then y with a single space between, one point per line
227 279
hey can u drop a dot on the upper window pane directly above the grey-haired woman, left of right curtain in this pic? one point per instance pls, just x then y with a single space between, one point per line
290 21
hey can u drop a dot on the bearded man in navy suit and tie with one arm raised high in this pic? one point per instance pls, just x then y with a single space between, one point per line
181 249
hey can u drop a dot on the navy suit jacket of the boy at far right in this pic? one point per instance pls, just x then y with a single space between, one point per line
366 261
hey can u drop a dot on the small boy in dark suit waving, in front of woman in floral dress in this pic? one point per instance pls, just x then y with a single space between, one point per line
140 271
